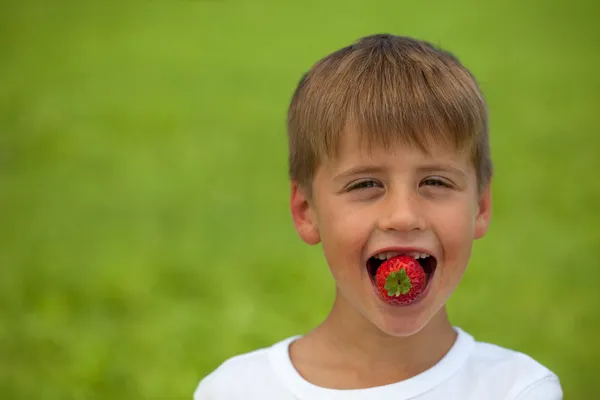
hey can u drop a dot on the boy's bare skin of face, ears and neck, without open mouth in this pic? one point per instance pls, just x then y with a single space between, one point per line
364 202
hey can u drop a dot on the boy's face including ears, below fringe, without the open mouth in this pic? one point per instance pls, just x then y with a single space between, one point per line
393 199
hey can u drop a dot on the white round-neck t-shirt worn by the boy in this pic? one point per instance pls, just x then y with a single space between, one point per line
471 370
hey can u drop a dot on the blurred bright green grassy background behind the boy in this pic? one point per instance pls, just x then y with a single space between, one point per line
143 162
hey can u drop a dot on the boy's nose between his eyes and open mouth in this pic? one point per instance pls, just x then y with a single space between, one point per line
402 212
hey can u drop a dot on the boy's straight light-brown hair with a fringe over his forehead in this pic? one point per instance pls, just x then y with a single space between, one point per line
391 89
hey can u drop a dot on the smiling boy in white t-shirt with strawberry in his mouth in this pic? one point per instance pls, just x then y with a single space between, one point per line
390 171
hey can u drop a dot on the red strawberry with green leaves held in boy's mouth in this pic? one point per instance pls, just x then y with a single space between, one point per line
400 280
